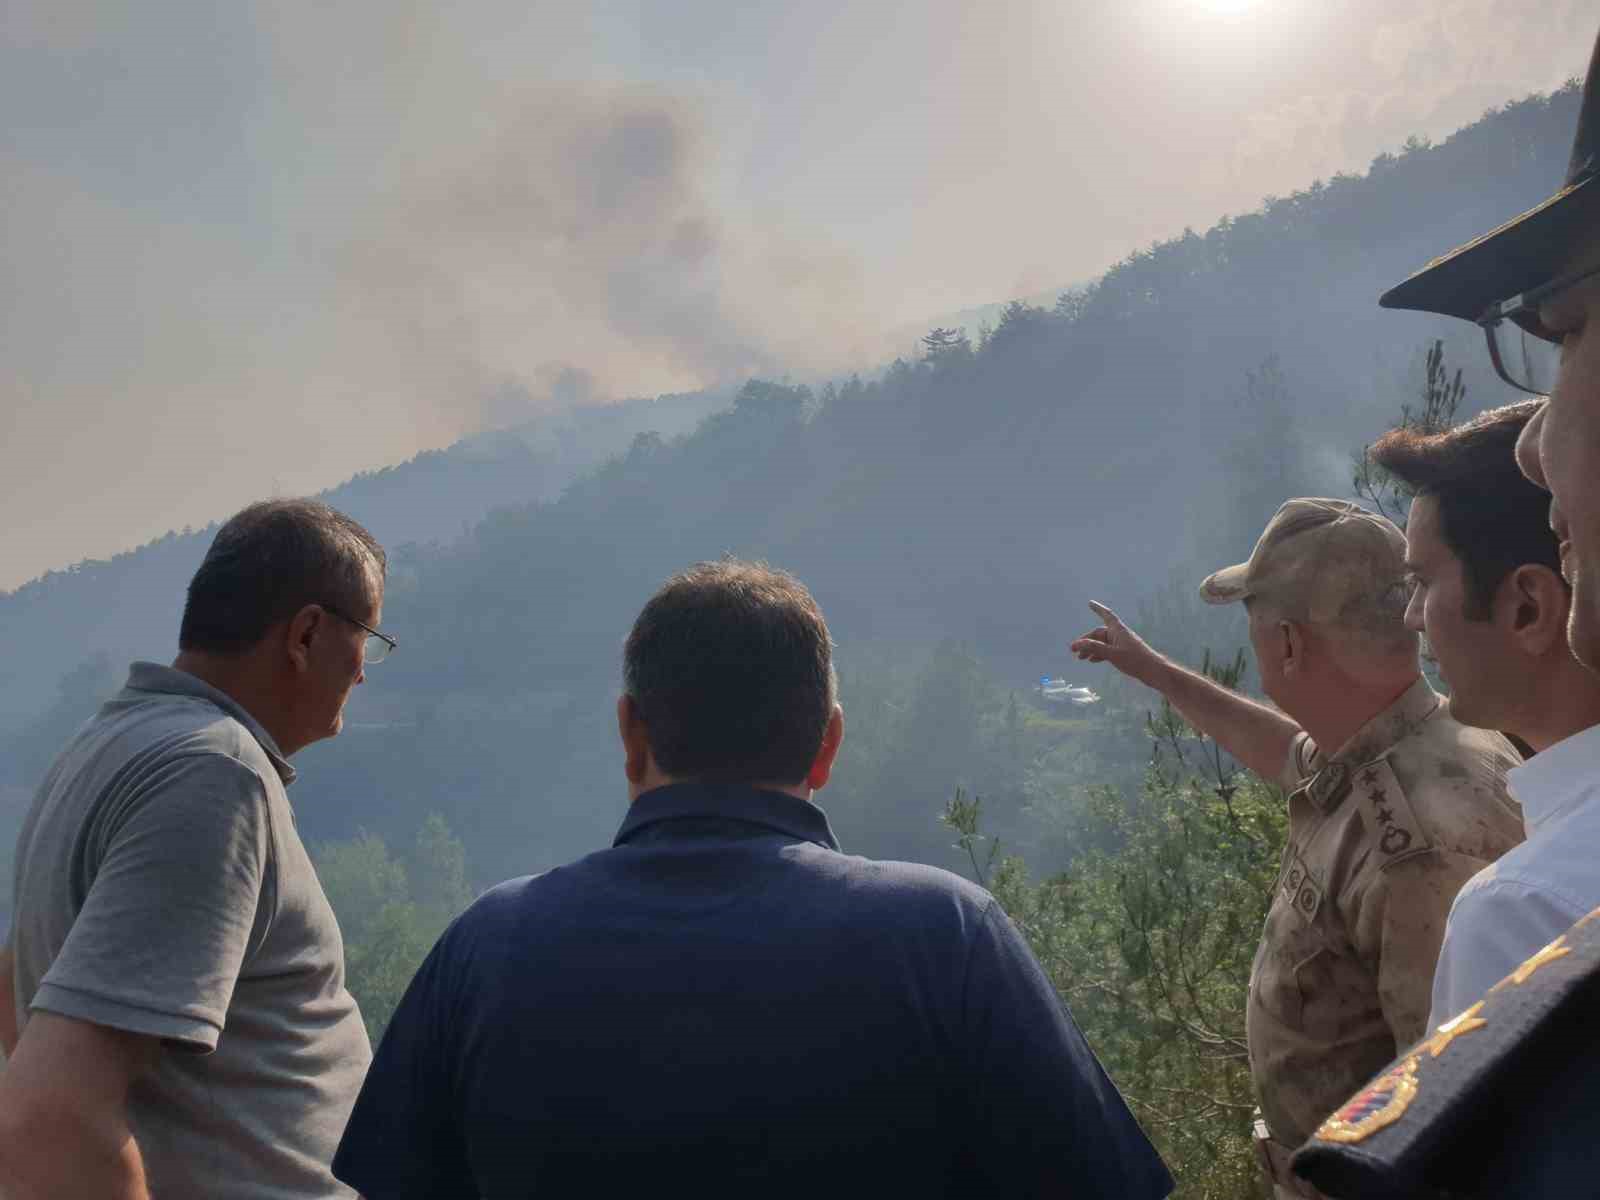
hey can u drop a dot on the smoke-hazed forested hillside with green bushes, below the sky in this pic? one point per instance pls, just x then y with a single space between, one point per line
953 516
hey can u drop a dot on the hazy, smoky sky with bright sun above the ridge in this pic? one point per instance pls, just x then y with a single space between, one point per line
252 249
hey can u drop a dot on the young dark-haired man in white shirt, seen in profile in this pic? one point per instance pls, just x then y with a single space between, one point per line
1489 593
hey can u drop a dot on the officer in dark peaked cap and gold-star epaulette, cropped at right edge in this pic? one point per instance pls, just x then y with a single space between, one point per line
1503 1100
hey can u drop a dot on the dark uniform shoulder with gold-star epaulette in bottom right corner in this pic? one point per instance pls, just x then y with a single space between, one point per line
1498 1102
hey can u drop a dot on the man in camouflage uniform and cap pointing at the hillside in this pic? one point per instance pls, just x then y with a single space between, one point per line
1385 828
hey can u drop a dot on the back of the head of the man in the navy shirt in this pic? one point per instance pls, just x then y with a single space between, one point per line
730 668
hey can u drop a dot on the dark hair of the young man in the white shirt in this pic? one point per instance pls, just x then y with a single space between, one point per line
1490 516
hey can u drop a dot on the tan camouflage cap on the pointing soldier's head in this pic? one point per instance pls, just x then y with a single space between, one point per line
1319 561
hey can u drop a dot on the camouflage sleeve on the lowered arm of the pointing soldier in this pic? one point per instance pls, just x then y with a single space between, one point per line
1399 930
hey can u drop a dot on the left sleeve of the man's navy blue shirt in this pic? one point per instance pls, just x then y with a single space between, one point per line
404 1140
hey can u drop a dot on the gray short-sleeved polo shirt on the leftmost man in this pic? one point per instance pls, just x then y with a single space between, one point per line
162 889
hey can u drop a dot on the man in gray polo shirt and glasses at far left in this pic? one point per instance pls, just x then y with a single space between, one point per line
182 1023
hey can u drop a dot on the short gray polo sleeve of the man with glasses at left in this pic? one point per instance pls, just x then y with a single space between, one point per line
175 894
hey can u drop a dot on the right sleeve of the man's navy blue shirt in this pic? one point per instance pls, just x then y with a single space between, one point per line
1046 1119
